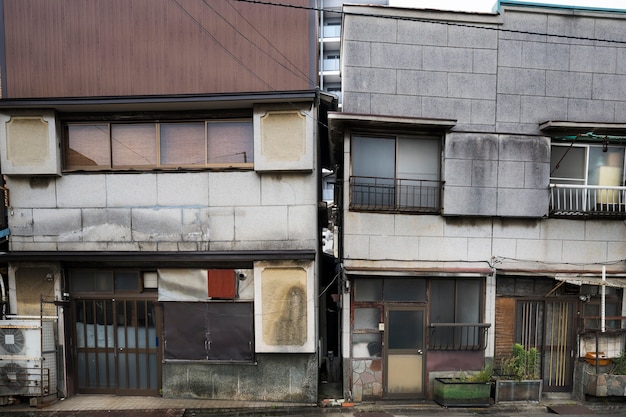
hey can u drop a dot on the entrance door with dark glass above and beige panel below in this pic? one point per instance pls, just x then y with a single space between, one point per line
404 351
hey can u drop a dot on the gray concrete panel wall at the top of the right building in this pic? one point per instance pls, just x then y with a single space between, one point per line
512 72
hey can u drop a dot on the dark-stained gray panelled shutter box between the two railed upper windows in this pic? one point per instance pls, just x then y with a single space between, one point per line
496 175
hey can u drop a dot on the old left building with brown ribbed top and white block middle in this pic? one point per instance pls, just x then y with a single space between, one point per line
162 164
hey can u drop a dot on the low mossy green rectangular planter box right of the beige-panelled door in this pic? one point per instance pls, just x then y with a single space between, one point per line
451 392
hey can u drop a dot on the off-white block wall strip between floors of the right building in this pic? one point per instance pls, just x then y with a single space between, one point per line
409 239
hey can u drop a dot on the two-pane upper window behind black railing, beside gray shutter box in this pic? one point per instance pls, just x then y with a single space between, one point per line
395 173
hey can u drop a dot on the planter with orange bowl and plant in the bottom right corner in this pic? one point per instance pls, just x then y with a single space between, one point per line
610 381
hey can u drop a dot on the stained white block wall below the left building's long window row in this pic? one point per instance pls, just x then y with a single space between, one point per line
164 211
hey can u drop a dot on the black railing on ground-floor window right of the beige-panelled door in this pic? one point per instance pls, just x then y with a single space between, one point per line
458 336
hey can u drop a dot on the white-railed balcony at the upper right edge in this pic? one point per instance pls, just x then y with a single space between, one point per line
587 201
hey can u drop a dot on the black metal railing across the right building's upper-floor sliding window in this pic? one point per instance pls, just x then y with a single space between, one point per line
395 195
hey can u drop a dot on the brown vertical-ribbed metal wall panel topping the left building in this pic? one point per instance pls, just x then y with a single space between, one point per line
78 48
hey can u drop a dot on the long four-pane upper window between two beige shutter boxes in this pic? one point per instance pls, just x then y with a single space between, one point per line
164 145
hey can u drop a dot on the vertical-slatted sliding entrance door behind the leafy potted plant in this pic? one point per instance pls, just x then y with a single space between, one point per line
549 326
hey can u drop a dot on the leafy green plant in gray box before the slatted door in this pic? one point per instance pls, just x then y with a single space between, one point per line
520 378
